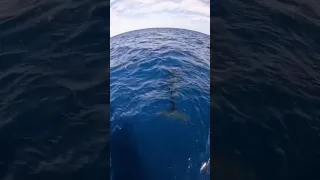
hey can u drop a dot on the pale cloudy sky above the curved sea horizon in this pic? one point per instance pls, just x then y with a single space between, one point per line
128 15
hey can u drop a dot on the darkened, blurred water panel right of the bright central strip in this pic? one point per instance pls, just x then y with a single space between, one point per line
265 89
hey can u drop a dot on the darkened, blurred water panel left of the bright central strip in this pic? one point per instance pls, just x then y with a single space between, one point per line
54 90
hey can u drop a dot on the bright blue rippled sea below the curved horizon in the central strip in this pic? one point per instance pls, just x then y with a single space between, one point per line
143 64
